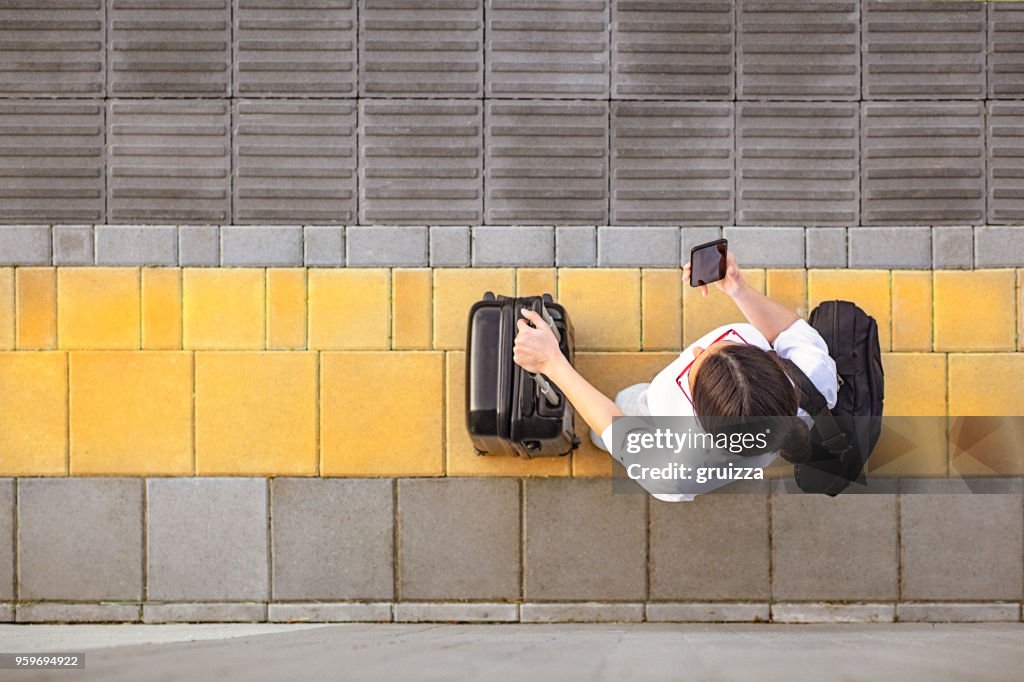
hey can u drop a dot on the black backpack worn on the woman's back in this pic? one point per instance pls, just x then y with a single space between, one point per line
844 437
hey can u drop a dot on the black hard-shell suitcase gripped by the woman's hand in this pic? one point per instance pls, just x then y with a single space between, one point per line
508 410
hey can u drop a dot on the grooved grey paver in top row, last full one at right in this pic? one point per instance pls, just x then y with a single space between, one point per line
924 50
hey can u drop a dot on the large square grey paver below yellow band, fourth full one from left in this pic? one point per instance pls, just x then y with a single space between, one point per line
446 553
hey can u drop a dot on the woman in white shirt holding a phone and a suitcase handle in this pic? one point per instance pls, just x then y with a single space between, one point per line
731 372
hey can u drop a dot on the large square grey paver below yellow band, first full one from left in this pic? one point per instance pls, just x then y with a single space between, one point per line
80 539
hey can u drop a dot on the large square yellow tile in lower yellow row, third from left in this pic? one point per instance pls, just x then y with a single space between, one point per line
257 414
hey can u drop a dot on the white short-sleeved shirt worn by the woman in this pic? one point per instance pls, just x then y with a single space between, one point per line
800 344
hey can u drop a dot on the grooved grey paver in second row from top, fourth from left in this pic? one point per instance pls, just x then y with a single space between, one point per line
421 162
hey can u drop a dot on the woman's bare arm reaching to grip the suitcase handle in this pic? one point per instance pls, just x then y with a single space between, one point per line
537 351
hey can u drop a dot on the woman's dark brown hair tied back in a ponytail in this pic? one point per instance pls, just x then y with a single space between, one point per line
741 381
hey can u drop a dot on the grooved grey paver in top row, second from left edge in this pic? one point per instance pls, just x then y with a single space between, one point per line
175 49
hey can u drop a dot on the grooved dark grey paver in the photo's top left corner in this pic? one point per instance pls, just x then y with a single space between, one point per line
54 48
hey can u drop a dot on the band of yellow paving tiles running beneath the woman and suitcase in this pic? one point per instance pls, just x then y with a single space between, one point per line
361 372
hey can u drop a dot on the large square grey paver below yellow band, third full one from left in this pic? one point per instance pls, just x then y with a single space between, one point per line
332 539
